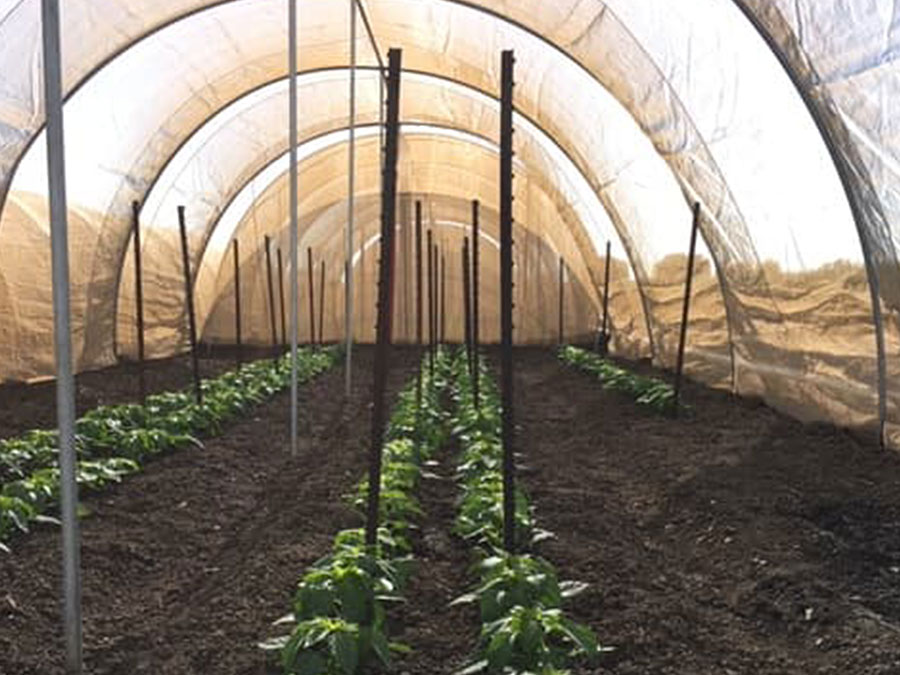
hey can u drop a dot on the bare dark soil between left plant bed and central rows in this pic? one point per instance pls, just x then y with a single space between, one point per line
187 564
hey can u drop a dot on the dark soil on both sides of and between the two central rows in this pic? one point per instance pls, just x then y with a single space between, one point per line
731 541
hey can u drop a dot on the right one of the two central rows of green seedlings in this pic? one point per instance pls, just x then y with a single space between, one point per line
524 628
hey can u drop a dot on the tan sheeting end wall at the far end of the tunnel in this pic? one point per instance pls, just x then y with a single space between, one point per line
537 296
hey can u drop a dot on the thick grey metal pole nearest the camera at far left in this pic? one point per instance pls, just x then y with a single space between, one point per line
65 379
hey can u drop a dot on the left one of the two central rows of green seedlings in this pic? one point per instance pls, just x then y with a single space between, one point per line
337 624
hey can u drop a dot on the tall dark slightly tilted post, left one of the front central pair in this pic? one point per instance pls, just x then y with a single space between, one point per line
385 287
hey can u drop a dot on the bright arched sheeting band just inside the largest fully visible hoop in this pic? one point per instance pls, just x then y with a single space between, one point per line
215 165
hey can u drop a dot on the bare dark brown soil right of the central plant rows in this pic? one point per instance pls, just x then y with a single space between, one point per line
733 540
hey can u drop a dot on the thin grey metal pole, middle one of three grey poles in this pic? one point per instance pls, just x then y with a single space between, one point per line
294 227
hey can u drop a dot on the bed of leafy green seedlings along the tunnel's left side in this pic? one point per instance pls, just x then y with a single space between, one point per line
112 442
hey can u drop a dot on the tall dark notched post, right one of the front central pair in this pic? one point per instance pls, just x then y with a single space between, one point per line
506 299
